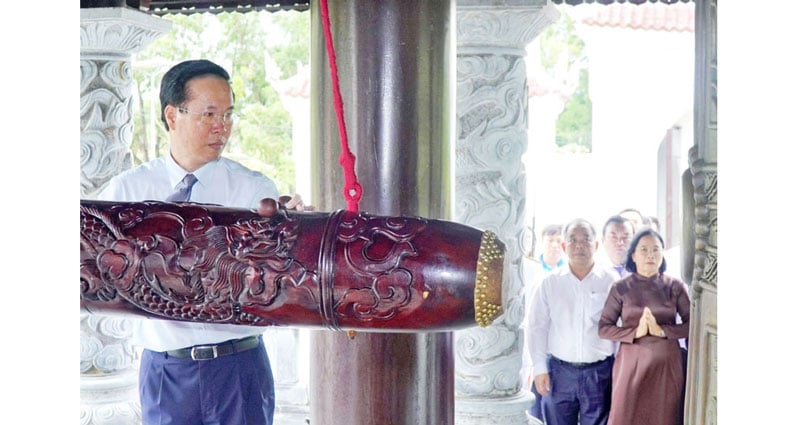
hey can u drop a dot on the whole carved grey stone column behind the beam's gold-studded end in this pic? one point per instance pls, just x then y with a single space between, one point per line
491 137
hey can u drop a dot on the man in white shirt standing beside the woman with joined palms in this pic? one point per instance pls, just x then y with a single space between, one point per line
571 364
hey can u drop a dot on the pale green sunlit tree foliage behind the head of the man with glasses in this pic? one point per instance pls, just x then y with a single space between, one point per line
257 48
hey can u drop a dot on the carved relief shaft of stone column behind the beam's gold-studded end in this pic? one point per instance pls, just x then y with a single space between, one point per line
490 194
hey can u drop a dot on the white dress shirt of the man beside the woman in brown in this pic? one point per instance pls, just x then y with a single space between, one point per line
564 318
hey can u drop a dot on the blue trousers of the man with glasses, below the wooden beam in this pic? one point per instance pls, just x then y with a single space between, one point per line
237 389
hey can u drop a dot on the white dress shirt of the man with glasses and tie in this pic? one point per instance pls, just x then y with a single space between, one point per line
222 182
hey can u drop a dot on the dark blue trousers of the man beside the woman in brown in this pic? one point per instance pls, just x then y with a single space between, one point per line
578 395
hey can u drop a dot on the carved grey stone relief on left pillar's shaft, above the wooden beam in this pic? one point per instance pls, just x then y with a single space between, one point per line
106 125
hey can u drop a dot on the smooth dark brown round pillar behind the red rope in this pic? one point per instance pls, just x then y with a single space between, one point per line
395 66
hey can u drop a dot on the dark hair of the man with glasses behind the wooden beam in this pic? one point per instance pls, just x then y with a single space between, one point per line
173 84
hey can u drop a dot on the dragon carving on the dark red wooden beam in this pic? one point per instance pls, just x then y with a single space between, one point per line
192 269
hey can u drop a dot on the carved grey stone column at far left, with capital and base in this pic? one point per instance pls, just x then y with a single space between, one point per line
109 36
